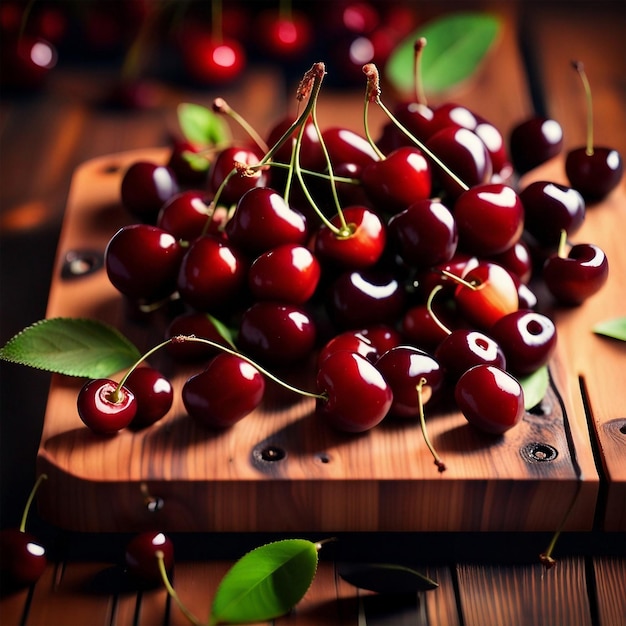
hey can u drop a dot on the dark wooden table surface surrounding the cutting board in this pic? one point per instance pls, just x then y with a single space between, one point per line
484 578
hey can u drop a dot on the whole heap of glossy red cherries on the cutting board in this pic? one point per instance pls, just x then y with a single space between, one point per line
393 270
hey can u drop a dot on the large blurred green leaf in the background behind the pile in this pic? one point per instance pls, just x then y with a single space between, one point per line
455 46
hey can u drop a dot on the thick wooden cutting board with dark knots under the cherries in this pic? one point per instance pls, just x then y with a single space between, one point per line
281 470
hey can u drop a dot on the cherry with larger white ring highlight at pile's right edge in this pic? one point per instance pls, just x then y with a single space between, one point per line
527 338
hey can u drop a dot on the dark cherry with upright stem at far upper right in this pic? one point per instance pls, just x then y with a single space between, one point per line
594 171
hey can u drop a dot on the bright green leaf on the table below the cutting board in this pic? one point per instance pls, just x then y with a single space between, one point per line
265 583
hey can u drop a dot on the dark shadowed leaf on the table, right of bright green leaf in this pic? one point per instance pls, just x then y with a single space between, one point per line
385 578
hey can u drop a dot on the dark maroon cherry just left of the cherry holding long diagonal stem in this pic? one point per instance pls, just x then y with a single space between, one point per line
425 233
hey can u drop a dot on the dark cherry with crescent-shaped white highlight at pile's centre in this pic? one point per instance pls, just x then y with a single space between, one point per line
361 298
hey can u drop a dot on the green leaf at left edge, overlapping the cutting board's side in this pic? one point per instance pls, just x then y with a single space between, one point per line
72 346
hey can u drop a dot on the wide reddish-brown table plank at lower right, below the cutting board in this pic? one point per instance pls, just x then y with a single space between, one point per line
521 595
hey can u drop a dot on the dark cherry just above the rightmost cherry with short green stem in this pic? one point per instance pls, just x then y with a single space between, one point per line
550 208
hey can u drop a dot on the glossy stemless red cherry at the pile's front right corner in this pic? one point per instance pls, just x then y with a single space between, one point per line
490 399
